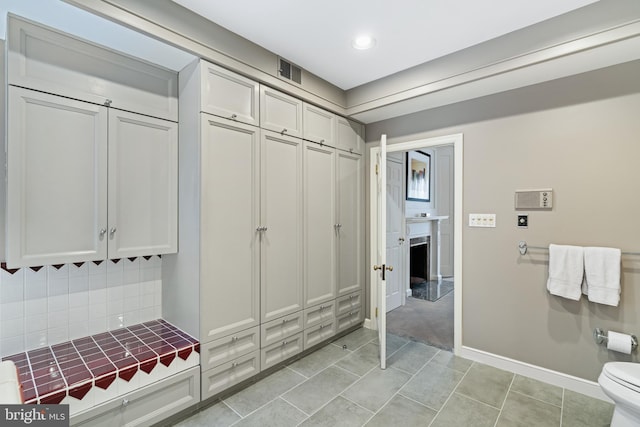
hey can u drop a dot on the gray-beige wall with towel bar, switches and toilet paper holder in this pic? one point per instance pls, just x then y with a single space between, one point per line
580 136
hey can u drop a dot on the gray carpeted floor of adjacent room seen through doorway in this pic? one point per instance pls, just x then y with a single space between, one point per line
424 321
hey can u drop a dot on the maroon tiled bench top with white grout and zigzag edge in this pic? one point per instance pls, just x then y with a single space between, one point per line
48 374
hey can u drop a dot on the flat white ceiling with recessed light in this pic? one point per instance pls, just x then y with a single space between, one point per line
317 35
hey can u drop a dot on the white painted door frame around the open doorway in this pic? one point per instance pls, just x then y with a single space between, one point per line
455 141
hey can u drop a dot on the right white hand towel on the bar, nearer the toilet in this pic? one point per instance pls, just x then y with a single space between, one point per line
602 275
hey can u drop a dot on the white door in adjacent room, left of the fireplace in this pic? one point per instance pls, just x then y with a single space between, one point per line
395 235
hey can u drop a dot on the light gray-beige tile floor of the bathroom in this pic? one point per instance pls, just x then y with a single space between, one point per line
422 386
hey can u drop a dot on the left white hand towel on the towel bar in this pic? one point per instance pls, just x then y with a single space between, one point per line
566 268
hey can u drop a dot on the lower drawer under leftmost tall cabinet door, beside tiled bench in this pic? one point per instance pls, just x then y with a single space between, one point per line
228 374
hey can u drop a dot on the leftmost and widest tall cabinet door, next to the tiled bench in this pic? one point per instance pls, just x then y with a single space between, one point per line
229 239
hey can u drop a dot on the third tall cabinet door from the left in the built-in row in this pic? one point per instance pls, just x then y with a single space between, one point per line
319 224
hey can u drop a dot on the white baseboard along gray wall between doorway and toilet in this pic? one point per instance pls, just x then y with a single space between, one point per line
548 376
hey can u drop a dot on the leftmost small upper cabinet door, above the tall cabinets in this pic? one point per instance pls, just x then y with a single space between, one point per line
229 95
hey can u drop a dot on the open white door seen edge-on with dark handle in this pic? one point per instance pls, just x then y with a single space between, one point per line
381 261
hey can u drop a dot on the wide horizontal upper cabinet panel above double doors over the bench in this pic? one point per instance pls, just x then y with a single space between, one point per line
51 61
